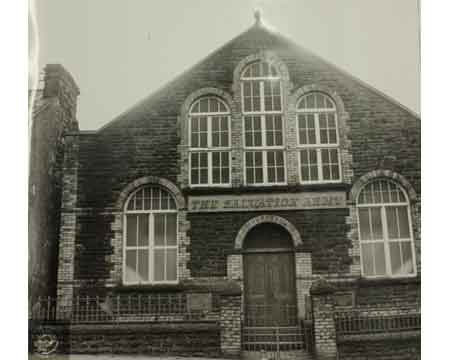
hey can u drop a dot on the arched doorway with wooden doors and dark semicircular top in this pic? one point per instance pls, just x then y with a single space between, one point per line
269 277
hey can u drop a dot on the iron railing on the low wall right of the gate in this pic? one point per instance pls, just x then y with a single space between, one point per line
348 323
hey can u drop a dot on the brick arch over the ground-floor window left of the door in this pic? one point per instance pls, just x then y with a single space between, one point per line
151 180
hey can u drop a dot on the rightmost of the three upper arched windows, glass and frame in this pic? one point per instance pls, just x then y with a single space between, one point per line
318 139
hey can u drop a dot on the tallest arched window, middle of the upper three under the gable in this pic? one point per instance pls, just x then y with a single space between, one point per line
263 124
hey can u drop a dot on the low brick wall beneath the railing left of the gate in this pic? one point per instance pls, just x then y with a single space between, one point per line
183 339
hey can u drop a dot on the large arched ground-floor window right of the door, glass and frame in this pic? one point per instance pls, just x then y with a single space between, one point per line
385 233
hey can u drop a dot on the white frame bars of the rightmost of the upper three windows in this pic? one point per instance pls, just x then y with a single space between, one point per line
318 146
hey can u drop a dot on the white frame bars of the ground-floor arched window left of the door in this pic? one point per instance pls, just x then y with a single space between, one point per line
151 239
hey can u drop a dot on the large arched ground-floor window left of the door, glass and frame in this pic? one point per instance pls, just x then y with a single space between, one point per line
150 237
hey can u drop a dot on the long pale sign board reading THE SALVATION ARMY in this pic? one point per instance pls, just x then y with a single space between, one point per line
265 202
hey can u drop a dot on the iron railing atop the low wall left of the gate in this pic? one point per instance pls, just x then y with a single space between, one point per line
120 308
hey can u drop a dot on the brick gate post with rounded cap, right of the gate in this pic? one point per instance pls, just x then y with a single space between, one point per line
323 314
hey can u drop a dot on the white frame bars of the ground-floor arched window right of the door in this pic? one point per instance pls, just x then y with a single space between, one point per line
386 241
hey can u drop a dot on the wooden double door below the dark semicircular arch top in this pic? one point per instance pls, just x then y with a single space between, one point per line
270 296
